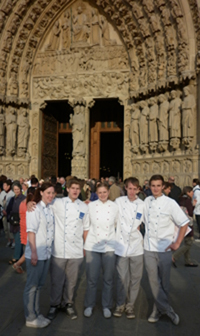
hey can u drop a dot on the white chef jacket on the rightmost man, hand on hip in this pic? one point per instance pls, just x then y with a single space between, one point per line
160 216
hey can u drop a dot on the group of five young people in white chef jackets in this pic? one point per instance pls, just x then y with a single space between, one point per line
62 230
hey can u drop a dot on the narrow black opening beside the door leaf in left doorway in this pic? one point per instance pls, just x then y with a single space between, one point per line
64 154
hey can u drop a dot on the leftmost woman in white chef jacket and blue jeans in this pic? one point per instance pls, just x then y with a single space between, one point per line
40 228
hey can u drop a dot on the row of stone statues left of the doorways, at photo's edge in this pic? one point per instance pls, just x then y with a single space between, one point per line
14 132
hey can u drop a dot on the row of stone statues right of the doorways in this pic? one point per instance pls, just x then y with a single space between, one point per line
162 121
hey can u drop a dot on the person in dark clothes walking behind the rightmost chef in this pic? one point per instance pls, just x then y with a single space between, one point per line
186 202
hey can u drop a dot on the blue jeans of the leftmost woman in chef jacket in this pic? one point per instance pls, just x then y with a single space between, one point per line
36 276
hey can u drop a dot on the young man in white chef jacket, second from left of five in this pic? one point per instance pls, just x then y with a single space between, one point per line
71 218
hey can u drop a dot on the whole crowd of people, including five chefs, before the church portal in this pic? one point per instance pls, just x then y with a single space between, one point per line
117 226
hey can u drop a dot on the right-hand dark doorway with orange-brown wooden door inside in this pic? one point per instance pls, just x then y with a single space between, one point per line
106 138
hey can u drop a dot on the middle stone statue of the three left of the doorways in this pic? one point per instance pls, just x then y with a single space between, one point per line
11 128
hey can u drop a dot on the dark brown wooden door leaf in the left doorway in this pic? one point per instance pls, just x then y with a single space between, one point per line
49 146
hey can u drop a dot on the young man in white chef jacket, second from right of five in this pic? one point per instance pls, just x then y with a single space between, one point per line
129 249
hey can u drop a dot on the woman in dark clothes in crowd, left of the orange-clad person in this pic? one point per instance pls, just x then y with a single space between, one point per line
14 219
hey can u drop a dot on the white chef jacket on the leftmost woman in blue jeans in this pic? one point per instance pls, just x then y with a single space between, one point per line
41 222
